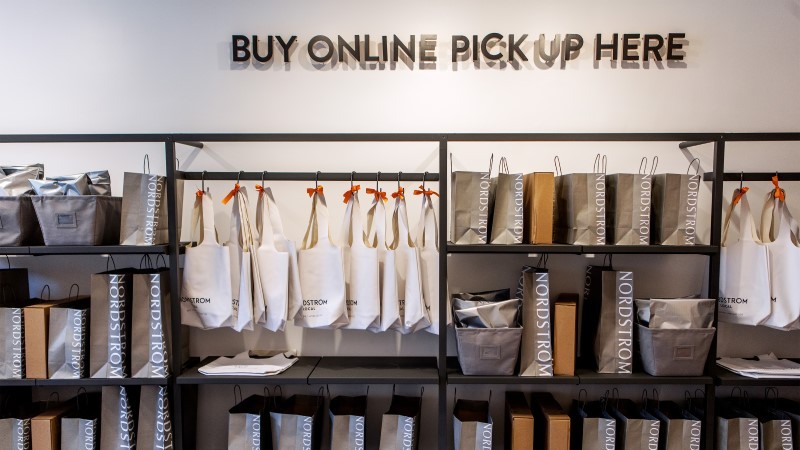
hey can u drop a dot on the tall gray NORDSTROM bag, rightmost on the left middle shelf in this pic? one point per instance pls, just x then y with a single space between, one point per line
151 324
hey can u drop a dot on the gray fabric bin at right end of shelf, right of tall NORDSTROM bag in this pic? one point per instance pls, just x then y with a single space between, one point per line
674 352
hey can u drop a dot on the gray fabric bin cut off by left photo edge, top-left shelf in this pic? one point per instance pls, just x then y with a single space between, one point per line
18 224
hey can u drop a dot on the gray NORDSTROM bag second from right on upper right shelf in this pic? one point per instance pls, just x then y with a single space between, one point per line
630 199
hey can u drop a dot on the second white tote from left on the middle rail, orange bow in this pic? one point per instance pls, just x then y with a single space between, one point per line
240 246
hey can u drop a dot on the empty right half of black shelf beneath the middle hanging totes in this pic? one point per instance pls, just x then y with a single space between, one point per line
375 370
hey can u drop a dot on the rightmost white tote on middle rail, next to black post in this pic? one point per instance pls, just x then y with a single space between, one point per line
427 243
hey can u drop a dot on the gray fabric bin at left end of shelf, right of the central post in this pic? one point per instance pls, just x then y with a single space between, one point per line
488 351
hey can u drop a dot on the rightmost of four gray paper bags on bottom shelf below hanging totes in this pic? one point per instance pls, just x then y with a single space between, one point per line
400 424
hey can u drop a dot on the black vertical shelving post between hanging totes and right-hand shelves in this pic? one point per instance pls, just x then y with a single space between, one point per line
443 311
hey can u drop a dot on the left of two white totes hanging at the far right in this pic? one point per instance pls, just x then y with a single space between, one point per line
744 270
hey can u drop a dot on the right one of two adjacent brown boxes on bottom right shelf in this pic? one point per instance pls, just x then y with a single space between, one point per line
552 423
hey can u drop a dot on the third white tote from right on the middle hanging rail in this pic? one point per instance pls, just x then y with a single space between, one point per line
376 237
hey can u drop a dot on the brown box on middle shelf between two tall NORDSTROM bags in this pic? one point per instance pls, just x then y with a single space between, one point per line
564 330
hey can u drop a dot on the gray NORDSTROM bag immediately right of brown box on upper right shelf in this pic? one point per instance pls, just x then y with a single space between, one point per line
580 206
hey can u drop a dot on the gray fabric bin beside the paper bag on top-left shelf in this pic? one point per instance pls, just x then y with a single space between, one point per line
78 220
